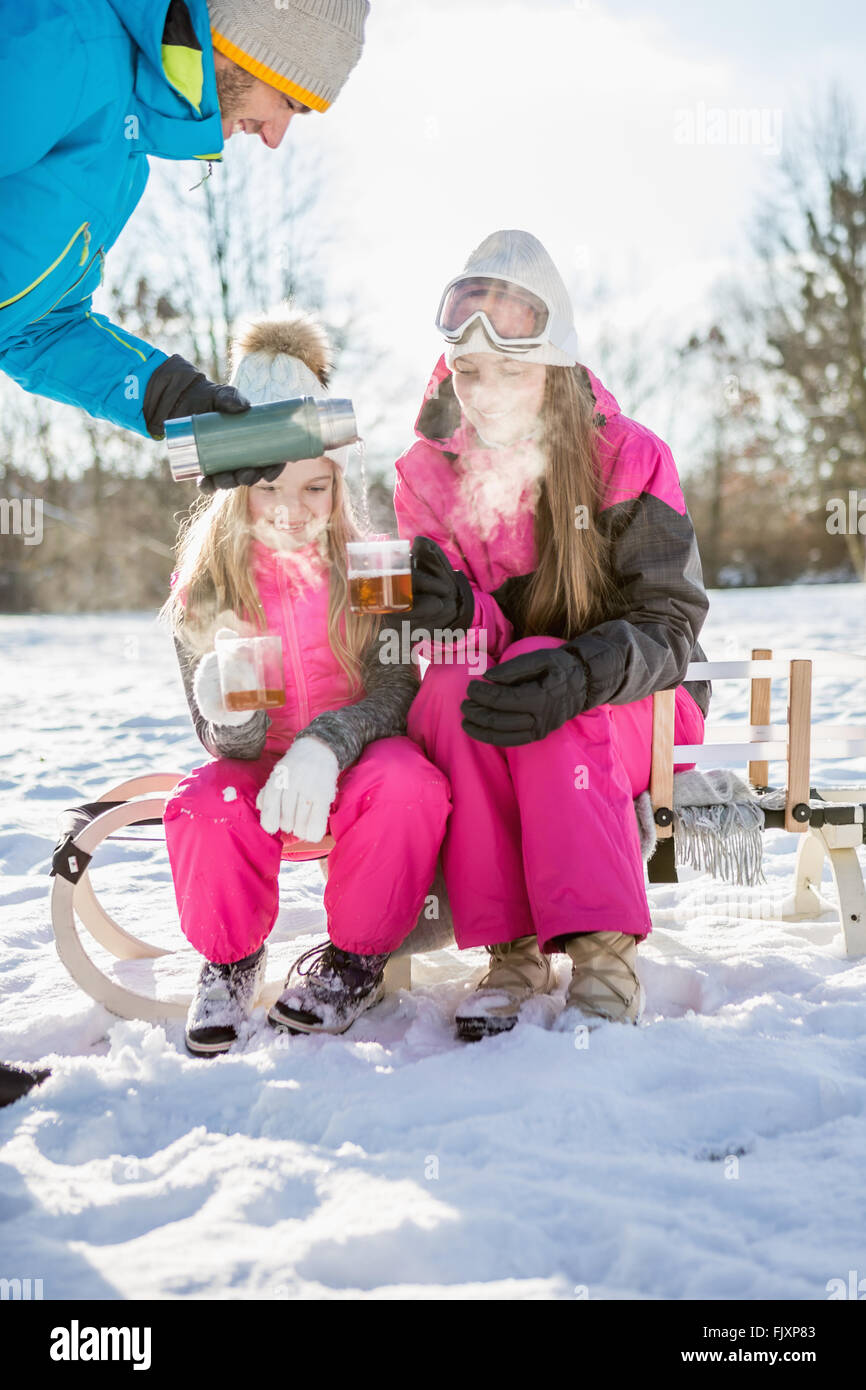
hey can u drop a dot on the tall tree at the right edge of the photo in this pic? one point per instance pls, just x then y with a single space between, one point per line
811 238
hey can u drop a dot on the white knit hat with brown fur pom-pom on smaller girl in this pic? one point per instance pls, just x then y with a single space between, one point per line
281 355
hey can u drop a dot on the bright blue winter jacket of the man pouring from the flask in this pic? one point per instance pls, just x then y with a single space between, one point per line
88 91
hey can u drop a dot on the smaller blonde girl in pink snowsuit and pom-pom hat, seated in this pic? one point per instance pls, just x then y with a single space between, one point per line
334 758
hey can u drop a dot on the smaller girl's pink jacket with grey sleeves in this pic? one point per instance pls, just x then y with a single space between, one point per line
320 701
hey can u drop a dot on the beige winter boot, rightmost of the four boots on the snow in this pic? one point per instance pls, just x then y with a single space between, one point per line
605 981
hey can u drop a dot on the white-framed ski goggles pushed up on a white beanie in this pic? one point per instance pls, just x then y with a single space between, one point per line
514 315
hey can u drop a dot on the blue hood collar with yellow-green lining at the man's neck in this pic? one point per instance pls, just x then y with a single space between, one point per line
174 77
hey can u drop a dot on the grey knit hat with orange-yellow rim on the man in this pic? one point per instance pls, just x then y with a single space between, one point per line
304 48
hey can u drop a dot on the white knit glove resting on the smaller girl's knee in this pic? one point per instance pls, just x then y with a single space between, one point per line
298 794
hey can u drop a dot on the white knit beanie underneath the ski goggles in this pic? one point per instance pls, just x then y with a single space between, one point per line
521 256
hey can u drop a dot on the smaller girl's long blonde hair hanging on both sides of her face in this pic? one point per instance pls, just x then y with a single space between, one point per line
216 575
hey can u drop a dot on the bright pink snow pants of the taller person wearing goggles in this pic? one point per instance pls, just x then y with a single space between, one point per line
543 837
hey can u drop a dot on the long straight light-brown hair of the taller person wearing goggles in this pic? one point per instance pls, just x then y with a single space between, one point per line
572 587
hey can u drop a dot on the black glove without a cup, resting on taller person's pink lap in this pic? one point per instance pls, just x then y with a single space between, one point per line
526 698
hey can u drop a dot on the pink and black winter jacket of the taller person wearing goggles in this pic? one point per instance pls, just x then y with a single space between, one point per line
650 640
